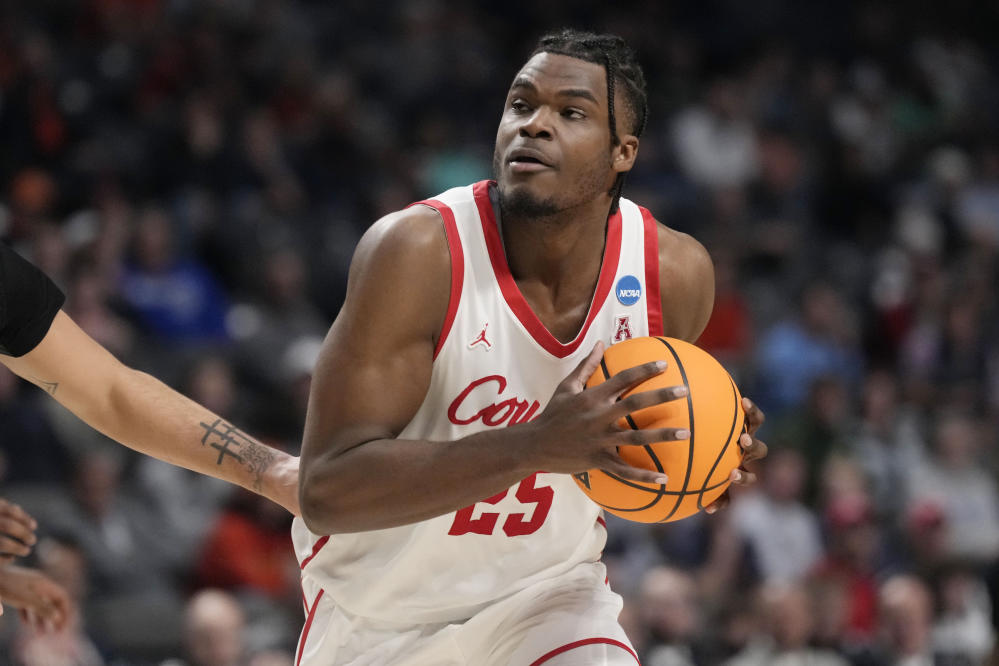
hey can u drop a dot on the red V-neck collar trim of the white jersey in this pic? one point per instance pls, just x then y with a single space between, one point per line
515 299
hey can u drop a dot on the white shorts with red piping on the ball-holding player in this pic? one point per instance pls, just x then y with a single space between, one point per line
569 620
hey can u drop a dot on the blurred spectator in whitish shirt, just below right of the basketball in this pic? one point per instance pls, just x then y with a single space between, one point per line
781 532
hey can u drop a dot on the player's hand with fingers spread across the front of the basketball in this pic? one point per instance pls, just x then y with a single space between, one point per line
579 430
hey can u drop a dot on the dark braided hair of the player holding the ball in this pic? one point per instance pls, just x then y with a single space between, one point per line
621 65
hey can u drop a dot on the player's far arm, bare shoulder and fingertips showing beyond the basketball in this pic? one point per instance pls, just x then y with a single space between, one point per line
687 289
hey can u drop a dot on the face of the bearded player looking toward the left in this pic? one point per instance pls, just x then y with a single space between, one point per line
553 146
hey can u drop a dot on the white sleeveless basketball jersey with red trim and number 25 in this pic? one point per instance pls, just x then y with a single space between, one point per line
495 366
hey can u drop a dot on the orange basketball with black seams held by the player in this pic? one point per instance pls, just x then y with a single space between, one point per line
697 468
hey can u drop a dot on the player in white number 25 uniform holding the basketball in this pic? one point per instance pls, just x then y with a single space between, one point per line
439 521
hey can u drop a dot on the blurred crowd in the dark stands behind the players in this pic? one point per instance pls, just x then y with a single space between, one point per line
195 174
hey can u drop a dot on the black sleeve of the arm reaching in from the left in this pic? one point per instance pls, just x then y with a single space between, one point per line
29 301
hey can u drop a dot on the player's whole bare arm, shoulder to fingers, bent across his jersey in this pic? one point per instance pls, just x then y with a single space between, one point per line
373 374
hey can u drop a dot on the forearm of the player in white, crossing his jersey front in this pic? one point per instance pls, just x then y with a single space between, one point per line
389 482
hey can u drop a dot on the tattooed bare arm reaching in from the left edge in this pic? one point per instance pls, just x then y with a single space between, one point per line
144 414
